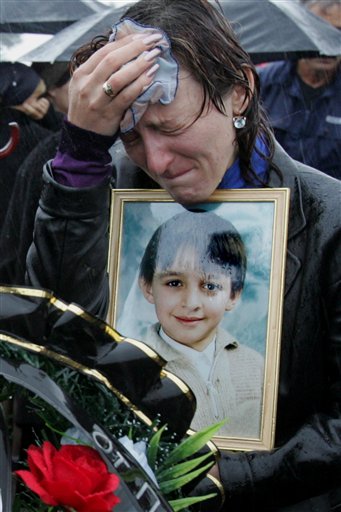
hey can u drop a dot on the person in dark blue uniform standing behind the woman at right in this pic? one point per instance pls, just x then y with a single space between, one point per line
303 101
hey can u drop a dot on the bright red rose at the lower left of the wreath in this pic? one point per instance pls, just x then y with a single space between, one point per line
74 476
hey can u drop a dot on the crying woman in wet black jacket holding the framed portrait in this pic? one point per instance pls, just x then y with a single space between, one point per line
173 83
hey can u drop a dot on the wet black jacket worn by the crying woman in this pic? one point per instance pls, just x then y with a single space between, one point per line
303 472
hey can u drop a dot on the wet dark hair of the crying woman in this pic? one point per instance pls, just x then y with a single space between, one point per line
204 42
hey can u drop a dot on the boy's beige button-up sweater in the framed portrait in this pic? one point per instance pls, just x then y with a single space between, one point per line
233 391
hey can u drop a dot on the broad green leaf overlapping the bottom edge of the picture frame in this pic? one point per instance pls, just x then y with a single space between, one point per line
192 444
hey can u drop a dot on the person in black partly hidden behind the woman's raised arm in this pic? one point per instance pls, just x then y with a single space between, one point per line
17 228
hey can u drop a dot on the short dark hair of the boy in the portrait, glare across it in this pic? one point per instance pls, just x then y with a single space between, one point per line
214 239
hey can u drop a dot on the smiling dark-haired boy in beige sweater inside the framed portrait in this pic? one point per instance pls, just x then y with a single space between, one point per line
193 271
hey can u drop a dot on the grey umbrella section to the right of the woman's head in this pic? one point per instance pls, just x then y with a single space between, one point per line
280 29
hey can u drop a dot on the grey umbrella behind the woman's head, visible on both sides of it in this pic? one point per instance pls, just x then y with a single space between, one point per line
267 29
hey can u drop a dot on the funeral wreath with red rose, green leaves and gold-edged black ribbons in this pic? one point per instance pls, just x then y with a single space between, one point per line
108 426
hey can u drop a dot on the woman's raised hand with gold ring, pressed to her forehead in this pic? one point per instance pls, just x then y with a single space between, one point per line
127 66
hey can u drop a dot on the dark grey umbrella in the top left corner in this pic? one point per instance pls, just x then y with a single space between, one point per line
43 17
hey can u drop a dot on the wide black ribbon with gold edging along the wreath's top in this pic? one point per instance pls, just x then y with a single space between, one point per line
128 366
